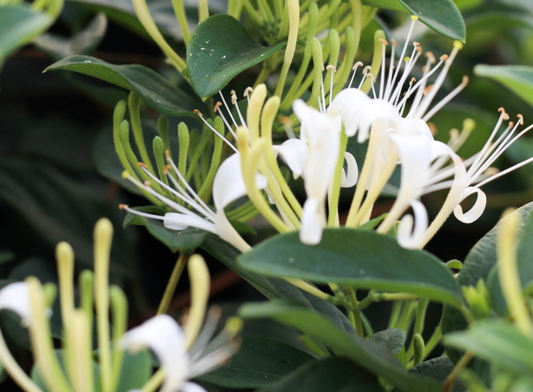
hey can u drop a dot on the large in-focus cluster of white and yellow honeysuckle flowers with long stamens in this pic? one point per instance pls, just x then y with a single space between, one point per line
392 119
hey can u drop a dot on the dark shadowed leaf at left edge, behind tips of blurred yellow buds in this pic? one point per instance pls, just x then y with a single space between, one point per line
60 209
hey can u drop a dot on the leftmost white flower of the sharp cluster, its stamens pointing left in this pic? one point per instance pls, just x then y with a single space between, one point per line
228 186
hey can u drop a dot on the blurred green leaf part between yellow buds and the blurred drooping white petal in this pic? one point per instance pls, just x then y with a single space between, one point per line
136 371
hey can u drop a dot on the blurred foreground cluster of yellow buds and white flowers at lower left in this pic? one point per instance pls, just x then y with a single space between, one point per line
183 353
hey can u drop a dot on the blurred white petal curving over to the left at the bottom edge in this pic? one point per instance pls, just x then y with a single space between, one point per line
164 337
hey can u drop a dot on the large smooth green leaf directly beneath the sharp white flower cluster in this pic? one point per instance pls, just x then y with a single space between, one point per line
359 258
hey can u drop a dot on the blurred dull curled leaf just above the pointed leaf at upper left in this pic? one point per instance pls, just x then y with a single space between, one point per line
84 42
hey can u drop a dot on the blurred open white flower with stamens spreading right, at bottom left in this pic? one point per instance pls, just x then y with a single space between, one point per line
163 335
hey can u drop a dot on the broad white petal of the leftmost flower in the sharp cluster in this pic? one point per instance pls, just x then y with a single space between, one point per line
228 185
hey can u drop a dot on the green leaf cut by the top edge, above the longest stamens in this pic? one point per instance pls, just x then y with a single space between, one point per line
443 16
